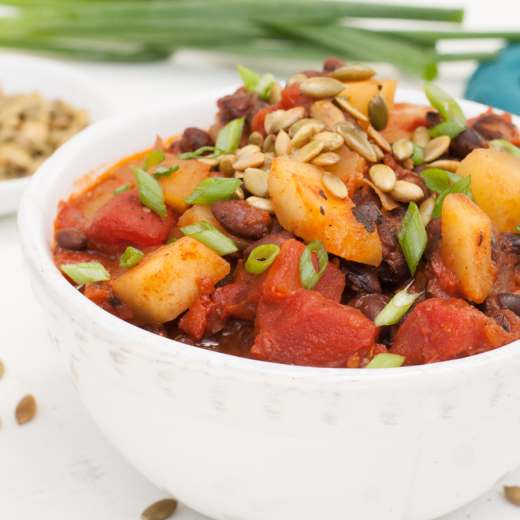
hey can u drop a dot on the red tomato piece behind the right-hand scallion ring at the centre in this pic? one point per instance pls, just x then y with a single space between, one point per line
284 275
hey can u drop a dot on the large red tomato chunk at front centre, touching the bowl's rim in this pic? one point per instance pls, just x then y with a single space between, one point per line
309 329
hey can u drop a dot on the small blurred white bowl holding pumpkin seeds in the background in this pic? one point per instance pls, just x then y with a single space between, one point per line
21 74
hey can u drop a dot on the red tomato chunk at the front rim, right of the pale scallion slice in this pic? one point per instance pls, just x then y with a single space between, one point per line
439 330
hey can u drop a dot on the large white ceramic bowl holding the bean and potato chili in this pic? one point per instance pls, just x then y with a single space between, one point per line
239 439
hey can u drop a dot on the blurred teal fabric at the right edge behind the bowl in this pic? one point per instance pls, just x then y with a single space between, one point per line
497 83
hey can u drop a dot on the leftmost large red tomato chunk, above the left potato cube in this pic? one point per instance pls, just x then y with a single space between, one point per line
125 219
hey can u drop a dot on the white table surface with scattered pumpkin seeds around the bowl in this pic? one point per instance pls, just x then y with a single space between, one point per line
59 466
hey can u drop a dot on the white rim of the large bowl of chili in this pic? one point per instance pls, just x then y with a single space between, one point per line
37 258
